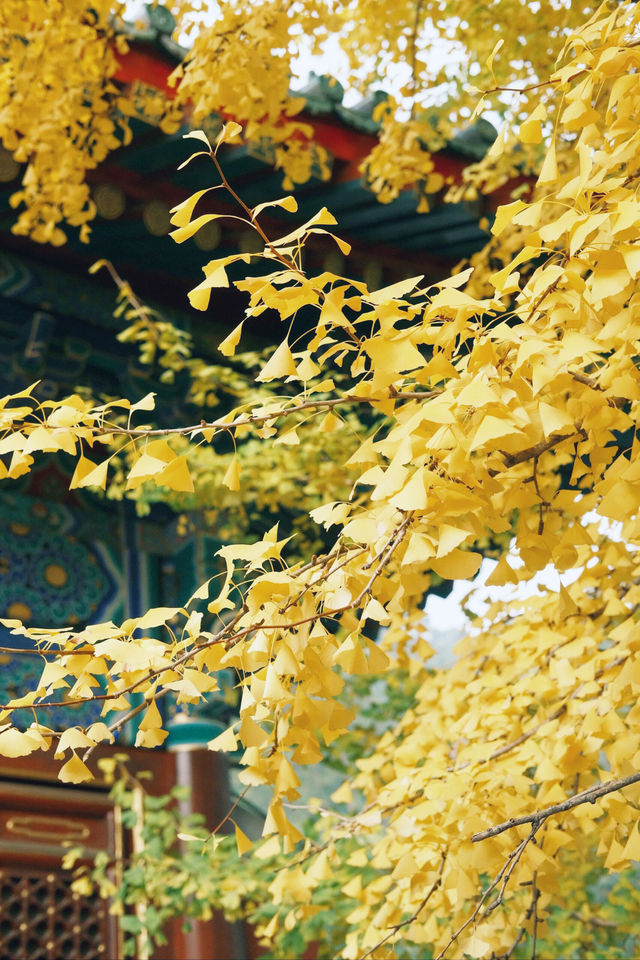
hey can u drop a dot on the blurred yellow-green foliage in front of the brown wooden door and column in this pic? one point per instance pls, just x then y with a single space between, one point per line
173 874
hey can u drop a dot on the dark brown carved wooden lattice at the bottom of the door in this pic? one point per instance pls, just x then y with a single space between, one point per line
42 919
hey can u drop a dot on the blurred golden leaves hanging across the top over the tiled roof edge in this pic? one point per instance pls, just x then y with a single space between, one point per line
61 112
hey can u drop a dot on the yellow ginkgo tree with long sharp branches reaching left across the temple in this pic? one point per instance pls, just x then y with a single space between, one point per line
508 401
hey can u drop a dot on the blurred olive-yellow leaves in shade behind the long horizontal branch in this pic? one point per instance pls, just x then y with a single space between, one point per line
292 474
